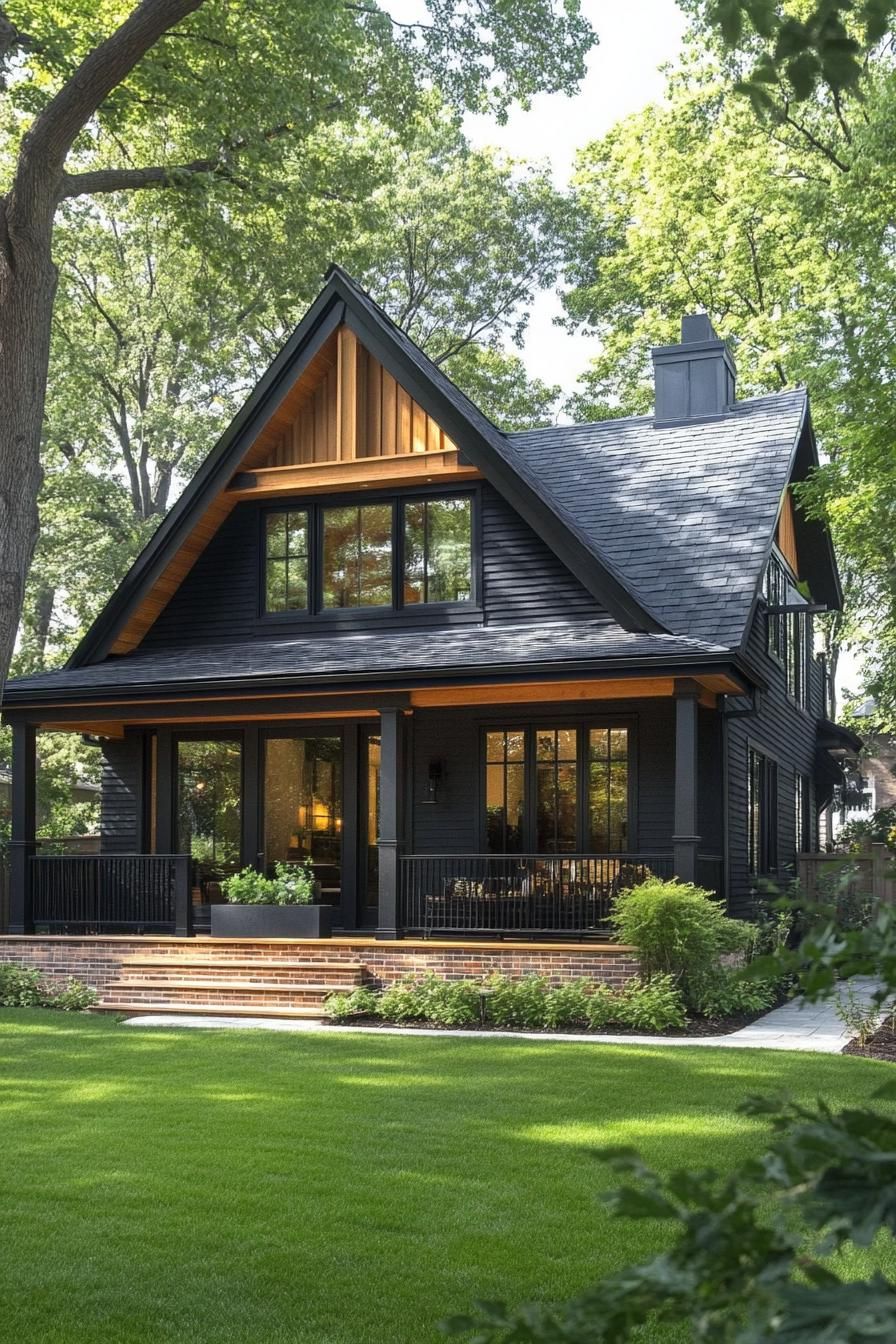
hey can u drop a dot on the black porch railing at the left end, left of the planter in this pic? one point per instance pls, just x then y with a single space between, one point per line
130 893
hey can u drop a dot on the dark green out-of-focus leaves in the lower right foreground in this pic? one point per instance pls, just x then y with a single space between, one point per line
753 1256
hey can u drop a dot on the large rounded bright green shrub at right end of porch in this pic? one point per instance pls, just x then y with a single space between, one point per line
678 929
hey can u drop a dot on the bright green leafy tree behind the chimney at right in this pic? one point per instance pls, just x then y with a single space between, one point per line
782 232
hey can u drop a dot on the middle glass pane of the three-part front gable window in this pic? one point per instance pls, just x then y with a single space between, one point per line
358 556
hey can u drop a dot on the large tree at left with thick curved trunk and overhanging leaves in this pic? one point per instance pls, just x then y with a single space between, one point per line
209 99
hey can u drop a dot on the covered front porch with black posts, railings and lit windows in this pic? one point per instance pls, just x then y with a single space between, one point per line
479 811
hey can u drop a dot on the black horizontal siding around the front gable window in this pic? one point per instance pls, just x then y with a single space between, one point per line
523 581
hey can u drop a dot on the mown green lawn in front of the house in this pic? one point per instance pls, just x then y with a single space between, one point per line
222 1187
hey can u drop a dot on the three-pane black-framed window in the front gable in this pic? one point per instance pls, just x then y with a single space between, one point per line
386 554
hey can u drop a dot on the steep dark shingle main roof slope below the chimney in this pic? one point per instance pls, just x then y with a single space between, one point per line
684 513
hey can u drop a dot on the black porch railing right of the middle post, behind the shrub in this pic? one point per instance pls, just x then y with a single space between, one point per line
519 893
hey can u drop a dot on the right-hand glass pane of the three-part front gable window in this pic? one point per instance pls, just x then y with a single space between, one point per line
439 557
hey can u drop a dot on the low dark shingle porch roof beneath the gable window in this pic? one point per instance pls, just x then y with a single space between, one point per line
375 657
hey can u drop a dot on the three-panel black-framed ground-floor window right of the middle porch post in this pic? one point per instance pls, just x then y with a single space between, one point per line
558 788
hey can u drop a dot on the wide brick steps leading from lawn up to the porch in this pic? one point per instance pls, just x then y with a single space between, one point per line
257 987
